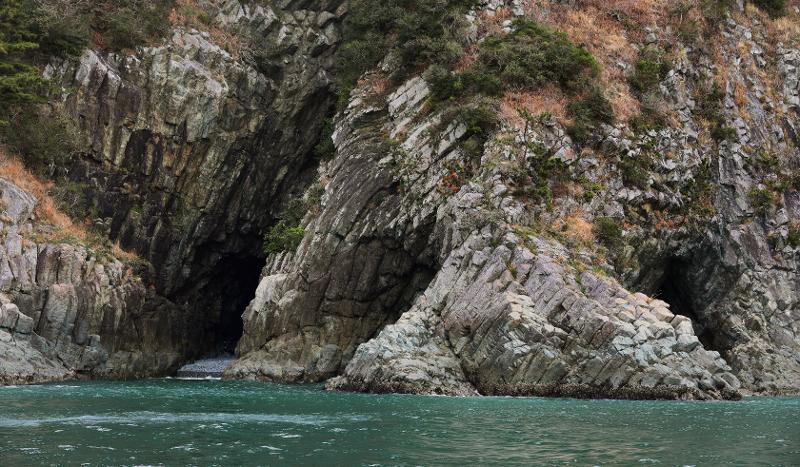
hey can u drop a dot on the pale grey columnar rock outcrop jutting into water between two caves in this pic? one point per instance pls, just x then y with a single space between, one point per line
497 318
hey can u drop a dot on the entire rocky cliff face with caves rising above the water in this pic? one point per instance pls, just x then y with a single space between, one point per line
652 255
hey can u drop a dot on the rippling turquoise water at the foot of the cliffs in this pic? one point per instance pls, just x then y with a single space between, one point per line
174 422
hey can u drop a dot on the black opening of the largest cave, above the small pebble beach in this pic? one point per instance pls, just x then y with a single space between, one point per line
231 289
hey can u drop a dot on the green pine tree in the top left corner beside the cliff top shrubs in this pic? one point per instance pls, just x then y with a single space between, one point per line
19 80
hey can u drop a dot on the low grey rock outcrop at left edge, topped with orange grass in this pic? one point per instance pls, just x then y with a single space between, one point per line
67 310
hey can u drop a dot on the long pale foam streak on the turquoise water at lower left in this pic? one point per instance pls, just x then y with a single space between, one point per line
91 421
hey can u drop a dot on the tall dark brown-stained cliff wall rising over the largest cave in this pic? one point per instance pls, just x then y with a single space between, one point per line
190 147
